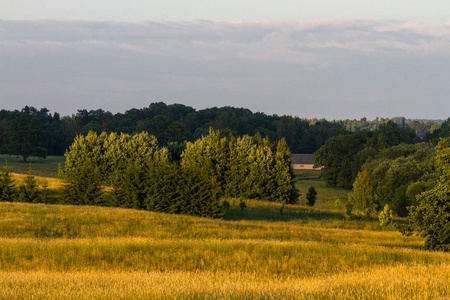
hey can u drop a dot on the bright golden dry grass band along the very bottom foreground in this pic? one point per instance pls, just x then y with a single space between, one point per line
401 282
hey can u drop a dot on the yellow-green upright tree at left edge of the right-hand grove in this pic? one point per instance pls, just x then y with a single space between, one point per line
362 198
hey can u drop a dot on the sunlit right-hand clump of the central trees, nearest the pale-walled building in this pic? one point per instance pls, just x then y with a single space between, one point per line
244 167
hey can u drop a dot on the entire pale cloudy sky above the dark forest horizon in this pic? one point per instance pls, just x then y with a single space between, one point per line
311 59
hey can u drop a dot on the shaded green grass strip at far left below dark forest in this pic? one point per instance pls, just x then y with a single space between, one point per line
41 167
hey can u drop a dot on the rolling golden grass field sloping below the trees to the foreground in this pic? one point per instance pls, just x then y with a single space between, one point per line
265 251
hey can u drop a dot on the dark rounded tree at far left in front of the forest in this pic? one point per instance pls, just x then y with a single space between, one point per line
27 138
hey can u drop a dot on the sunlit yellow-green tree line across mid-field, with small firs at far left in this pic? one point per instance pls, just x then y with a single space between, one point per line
142 175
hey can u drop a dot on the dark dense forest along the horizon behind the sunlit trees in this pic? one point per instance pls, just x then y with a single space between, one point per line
172 125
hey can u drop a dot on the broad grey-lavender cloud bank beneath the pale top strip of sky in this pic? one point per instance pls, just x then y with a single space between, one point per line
350 68
